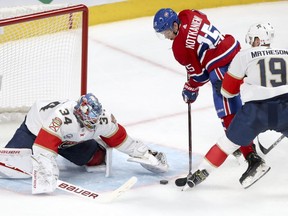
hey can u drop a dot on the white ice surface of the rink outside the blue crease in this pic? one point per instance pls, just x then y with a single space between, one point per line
136 77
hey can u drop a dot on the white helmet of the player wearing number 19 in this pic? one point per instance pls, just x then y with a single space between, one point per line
263 31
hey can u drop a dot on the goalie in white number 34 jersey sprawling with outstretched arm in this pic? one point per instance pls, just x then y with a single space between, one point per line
75 130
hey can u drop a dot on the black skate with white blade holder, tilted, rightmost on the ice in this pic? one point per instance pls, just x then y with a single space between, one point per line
256 169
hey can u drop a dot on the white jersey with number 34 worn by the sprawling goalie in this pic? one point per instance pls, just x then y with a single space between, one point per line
55 125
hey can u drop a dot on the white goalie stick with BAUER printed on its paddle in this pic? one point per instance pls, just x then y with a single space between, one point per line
84 192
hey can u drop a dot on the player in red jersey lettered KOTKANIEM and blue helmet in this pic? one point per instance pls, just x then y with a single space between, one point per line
206 54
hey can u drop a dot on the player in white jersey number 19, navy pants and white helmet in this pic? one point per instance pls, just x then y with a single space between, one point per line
260 74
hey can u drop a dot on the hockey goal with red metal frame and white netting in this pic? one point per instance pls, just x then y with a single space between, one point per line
43 55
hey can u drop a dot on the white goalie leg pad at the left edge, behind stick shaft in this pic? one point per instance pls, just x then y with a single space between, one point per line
15 157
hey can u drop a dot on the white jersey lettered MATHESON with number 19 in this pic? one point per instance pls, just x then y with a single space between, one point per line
264 72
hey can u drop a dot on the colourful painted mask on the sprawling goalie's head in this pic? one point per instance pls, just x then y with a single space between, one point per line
87 110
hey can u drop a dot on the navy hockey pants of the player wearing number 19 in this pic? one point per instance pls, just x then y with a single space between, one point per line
256 117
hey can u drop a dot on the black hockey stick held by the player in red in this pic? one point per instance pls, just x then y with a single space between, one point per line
180 182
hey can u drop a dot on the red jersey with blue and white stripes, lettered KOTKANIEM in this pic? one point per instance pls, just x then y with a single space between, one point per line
200 47
